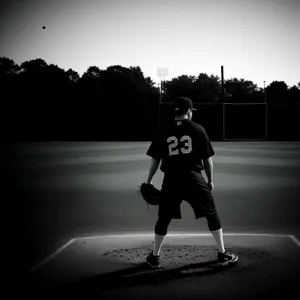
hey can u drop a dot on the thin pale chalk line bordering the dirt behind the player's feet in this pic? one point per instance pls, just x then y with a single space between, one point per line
148 235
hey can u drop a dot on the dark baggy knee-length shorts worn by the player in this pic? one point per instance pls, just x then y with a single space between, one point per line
190 187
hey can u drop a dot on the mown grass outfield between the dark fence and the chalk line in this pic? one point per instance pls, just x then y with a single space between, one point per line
74 189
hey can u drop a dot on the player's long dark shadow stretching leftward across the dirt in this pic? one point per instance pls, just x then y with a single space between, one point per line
142 274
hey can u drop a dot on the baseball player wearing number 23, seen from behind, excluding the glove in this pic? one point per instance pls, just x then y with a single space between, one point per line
184 150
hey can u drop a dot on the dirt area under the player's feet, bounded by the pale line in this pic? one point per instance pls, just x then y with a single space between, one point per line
113 268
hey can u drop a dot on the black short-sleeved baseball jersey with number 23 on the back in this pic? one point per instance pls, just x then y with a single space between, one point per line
181 147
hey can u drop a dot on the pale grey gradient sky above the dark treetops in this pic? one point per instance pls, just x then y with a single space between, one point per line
256 40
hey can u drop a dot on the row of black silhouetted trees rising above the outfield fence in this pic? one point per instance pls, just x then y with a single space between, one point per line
128 87
